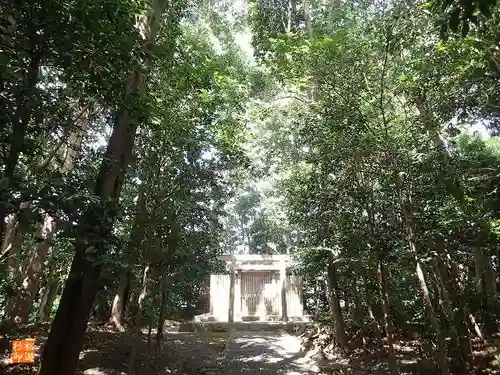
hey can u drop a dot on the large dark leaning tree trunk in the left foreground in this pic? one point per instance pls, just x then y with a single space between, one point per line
61 351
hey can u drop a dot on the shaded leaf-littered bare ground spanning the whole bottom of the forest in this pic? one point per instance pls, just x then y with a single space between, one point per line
106 352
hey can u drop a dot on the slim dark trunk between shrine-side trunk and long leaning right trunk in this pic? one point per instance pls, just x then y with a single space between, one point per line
383 285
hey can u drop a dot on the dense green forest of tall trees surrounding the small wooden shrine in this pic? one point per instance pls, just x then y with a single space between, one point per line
142 138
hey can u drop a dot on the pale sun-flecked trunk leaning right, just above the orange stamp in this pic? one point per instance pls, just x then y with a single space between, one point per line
29 287
